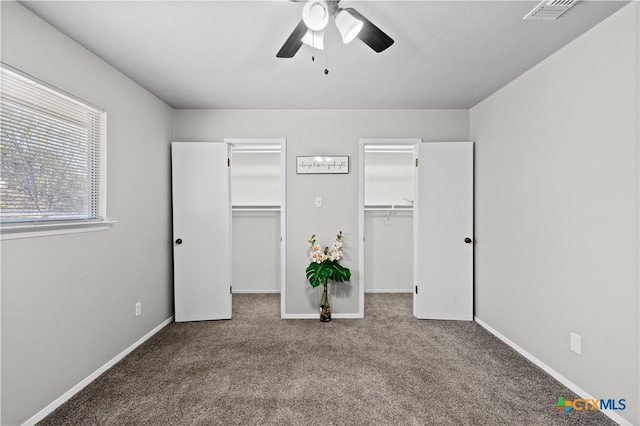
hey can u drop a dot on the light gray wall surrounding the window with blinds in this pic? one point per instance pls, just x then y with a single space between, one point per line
68 301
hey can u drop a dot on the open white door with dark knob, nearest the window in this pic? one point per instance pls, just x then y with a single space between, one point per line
201 231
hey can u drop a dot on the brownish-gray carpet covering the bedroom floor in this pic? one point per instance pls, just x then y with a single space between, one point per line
387 369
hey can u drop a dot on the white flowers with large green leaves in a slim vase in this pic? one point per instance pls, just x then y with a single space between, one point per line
324 266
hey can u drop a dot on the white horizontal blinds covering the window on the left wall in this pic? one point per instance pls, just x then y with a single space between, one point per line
52 154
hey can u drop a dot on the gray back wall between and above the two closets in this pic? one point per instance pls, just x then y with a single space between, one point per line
321 132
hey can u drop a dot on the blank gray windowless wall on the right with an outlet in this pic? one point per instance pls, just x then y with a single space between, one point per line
557 210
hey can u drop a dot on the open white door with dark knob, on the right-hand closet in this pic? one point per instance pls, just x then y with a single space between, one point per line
443 232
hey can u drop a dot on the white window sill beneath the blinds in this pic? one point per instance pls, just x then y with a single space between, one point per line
12 232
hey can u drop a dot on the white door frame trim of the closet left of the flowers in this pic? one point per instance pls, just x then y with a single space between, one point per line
283 205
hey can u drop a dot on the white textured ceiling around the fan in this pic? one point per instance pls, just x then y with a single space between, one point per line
222 54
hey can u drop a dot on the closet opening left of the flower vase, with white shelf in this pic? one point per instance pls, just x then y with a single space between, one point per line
257 176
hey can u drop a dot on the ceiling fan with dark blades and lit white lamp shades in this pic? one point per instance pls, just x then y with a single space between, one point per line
351 24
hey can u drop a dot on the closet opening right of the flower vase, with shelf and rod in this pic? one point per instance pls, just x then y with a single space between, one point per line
386 215
